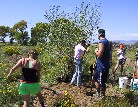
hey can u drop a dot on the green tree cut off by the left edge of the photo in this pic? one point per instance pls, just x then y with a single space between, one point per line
3 33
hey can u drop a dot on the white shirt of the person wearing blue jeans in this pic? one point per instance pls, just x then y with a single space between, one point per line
79 50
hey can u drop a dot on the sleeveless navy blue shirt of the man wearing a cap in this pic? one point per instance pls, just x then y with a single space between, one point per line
103 63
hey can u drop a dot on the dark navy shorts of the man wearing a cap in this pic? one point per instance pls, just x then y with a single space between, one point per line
101 77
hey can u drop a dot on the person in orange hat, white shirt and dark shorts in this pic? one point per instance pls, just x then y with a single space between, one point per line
120 59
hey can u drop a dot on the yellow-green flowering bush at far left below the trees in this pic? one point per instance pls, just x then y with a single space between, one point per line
10 50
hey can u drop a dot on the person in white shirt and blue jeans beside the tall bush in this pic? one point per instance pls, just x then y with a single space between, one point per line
78 57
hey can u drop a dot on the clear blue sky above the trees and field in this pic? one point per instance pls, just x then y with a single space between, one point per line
119 17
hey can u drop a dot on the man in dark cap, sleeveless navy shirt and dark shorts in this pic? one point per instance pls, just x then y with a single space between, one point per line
103 63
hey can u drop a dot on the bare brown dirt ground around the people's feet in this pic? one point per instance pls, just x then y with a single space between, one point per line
83 96
